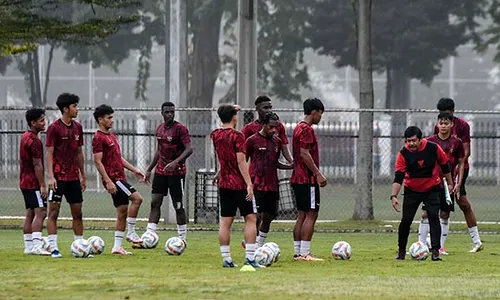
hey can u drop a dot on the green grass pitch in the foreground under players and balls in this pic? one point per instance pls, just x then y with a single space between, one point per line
372 273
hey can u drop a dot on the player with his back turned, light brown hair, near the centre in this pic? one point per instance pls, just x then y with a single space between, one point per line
235 186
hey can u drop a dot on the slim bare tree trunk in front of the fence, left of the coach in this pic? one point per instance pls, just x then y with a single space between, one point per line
363 208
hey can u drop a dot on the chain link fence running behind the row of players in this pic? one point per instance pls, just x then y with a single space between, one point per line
337 134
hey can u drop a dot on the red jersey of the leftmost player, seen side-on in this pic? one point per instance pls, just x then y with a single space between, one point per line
31 148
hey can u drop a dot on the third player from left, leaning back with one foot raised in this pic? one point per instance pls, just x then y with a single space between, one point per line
110 164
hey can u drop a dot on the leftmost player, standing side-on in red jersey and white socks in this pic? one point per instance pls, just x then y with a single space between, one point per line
32 181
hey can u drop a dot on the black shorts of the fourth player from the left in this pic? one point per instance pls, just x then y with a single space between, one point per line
174 184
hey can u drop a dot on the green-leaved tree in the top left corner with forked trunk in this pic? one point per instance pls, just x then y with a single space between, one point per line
26 24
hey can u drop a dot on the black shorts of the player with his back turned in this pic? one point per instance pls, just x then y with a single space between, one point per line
233 200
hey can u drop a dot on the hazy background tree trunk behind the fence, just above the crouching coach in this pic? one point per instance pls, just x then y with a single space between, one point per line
398 97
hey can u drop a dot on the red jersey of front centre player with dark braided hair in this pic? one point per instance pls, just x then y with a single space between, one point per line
264 154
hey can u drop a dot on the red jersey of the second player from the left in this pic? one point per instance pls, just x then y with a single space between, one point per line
66 141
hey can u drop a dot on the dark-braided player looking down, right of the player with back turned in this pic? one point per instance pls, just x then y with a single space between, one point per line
264 149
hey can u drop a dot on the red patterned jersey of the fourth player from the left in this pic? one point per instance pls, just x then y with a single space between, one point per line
172 142
